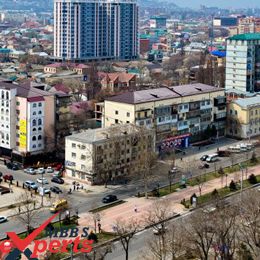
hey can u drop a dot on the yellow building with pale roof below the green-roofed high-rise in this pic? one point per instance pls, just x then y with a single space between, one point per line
244 117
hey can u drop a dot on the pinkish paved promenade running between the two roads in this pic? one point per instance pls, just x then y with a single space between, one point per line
126 211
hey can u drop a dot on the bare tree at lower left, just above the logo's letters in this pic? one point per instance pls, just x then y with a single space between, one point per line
26 213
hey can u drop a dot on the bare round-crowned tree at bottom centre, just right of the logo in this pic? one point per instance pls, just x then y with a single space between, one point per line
126 231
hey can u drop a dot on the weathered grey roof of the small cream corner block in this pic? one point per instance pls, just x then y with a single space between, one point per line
92 136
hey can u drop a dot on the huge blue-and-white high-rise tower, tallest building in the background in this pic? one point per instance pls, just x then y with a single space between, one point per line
95 30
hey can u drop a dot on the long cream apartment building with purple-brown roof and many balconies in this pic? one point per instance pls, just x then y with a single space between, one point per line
175 113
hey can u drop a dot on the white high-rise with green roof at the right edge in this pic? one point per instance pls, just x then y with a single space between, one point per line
243 63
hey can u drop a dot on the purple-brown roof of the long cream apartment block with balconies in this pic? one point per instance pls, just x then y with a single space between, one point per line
150 95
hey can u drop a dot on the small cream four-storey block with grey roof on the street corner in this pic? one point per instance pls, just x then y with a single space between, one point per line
100 155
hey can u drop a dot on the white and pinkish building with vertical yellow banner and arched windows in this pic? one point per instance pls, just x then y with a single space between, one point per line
27 120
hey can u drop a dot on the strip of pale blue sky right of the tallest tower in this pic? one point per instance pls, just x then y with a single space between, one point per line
218 3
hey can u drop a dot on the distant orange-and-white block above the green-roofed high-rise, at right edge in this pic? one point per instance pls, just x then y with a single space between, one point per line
249 25
